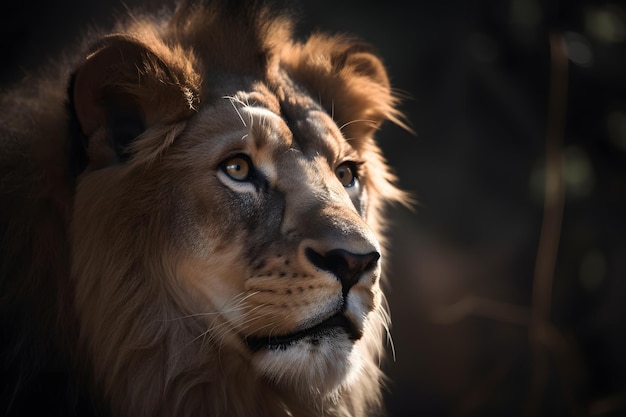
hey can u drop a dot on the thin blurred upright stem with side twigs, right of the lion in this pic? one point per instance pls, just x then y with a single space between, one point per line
546 341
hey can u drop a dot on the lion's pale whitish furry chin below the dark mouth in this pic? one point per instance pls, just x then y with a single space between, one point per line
319 363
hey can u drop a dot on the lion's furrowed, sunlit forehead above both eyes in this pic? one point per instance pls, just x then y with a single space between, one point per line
275 132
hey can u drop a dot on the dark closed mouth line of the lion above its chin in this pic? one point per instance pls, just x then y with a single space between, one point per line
327 327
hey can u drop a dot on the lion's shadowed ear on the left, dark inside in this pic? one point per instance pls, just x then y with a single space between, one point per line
124 87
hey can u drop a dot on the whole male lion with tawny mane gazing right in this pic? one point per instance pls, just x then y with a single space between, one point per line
192 221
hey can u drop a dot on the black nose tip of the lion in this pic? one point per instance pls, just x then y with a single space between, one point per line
346 266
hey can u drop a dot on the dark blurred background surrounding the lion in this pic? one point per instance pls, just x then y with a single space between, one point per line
482 326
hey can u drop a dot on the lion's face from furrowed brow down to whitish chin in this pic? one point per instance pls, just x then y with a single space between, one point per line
286 266
